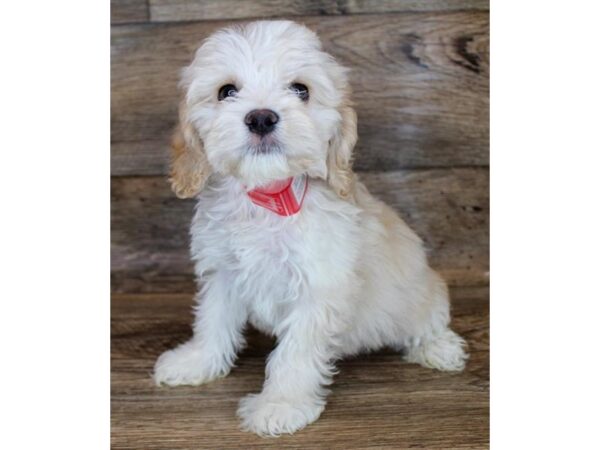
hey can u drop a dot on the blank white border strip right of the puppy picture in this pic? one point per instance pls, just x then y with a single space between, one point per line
545 225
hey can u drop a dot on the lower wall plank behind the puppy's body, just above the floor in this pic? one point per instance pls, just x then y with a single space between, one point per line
448 208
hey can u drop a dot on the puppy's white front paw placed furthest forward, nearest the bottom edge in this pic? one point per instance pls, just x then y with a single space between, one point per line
268 416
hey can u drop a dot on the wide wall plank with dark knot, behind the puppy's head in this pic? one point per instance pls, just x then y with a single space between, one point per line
420 81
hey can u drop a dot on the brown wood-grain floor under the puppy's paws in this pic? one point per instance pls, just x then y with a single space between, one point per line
377 400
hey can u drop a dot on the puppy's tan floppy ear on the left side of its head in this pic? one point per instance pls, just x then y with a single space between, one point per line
189 166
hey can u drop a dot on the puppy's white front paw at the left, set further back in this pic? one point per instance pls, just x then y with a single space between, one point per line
185 365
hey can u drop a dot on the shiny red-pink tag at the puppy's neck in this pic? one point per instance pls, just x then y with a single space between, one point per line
283 197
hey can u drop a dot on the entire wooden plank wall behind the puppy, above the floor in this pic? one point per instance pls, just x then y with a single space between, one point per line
420 74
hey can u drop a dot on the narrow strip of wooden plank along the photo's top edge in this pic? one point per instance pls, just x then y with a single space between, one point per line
186 10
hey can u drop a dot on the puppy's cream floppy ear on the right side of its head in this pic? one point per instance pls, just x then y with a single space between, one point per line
339 160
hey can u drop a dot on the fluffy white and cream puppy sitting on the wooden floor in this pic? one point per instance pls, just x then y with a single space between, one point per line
263 103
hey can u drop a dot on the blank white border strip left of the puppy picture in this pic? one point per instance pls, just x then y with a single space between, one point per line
54 322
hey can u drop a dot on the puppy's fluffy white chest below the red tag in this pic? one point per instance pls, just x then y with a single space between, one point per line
274 262
